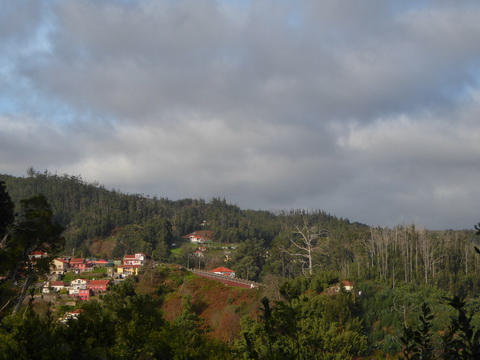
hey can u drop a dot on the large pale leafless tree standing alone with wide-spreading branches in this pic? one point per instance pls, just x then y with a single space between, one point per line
304 242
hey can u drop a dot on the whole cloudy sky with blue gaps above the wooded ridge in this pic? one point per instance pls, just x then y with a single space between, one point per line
367 109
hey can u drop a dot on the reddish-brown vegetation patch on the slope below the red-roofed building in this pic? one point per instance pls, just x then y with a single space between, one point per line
221 306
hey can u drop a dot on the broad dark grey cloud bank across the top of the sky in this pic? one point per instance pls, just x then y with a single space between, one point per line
134 62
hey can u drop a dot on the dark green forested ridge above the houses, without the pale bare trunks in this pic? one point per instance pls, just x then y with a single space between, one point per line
135 222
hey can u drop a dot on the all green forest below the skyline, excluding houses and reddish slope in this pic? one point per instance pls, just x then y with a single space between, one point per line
416 290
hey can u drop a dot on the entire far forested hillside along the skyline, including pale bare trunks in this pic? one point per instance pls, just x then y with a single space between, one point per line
268 243
